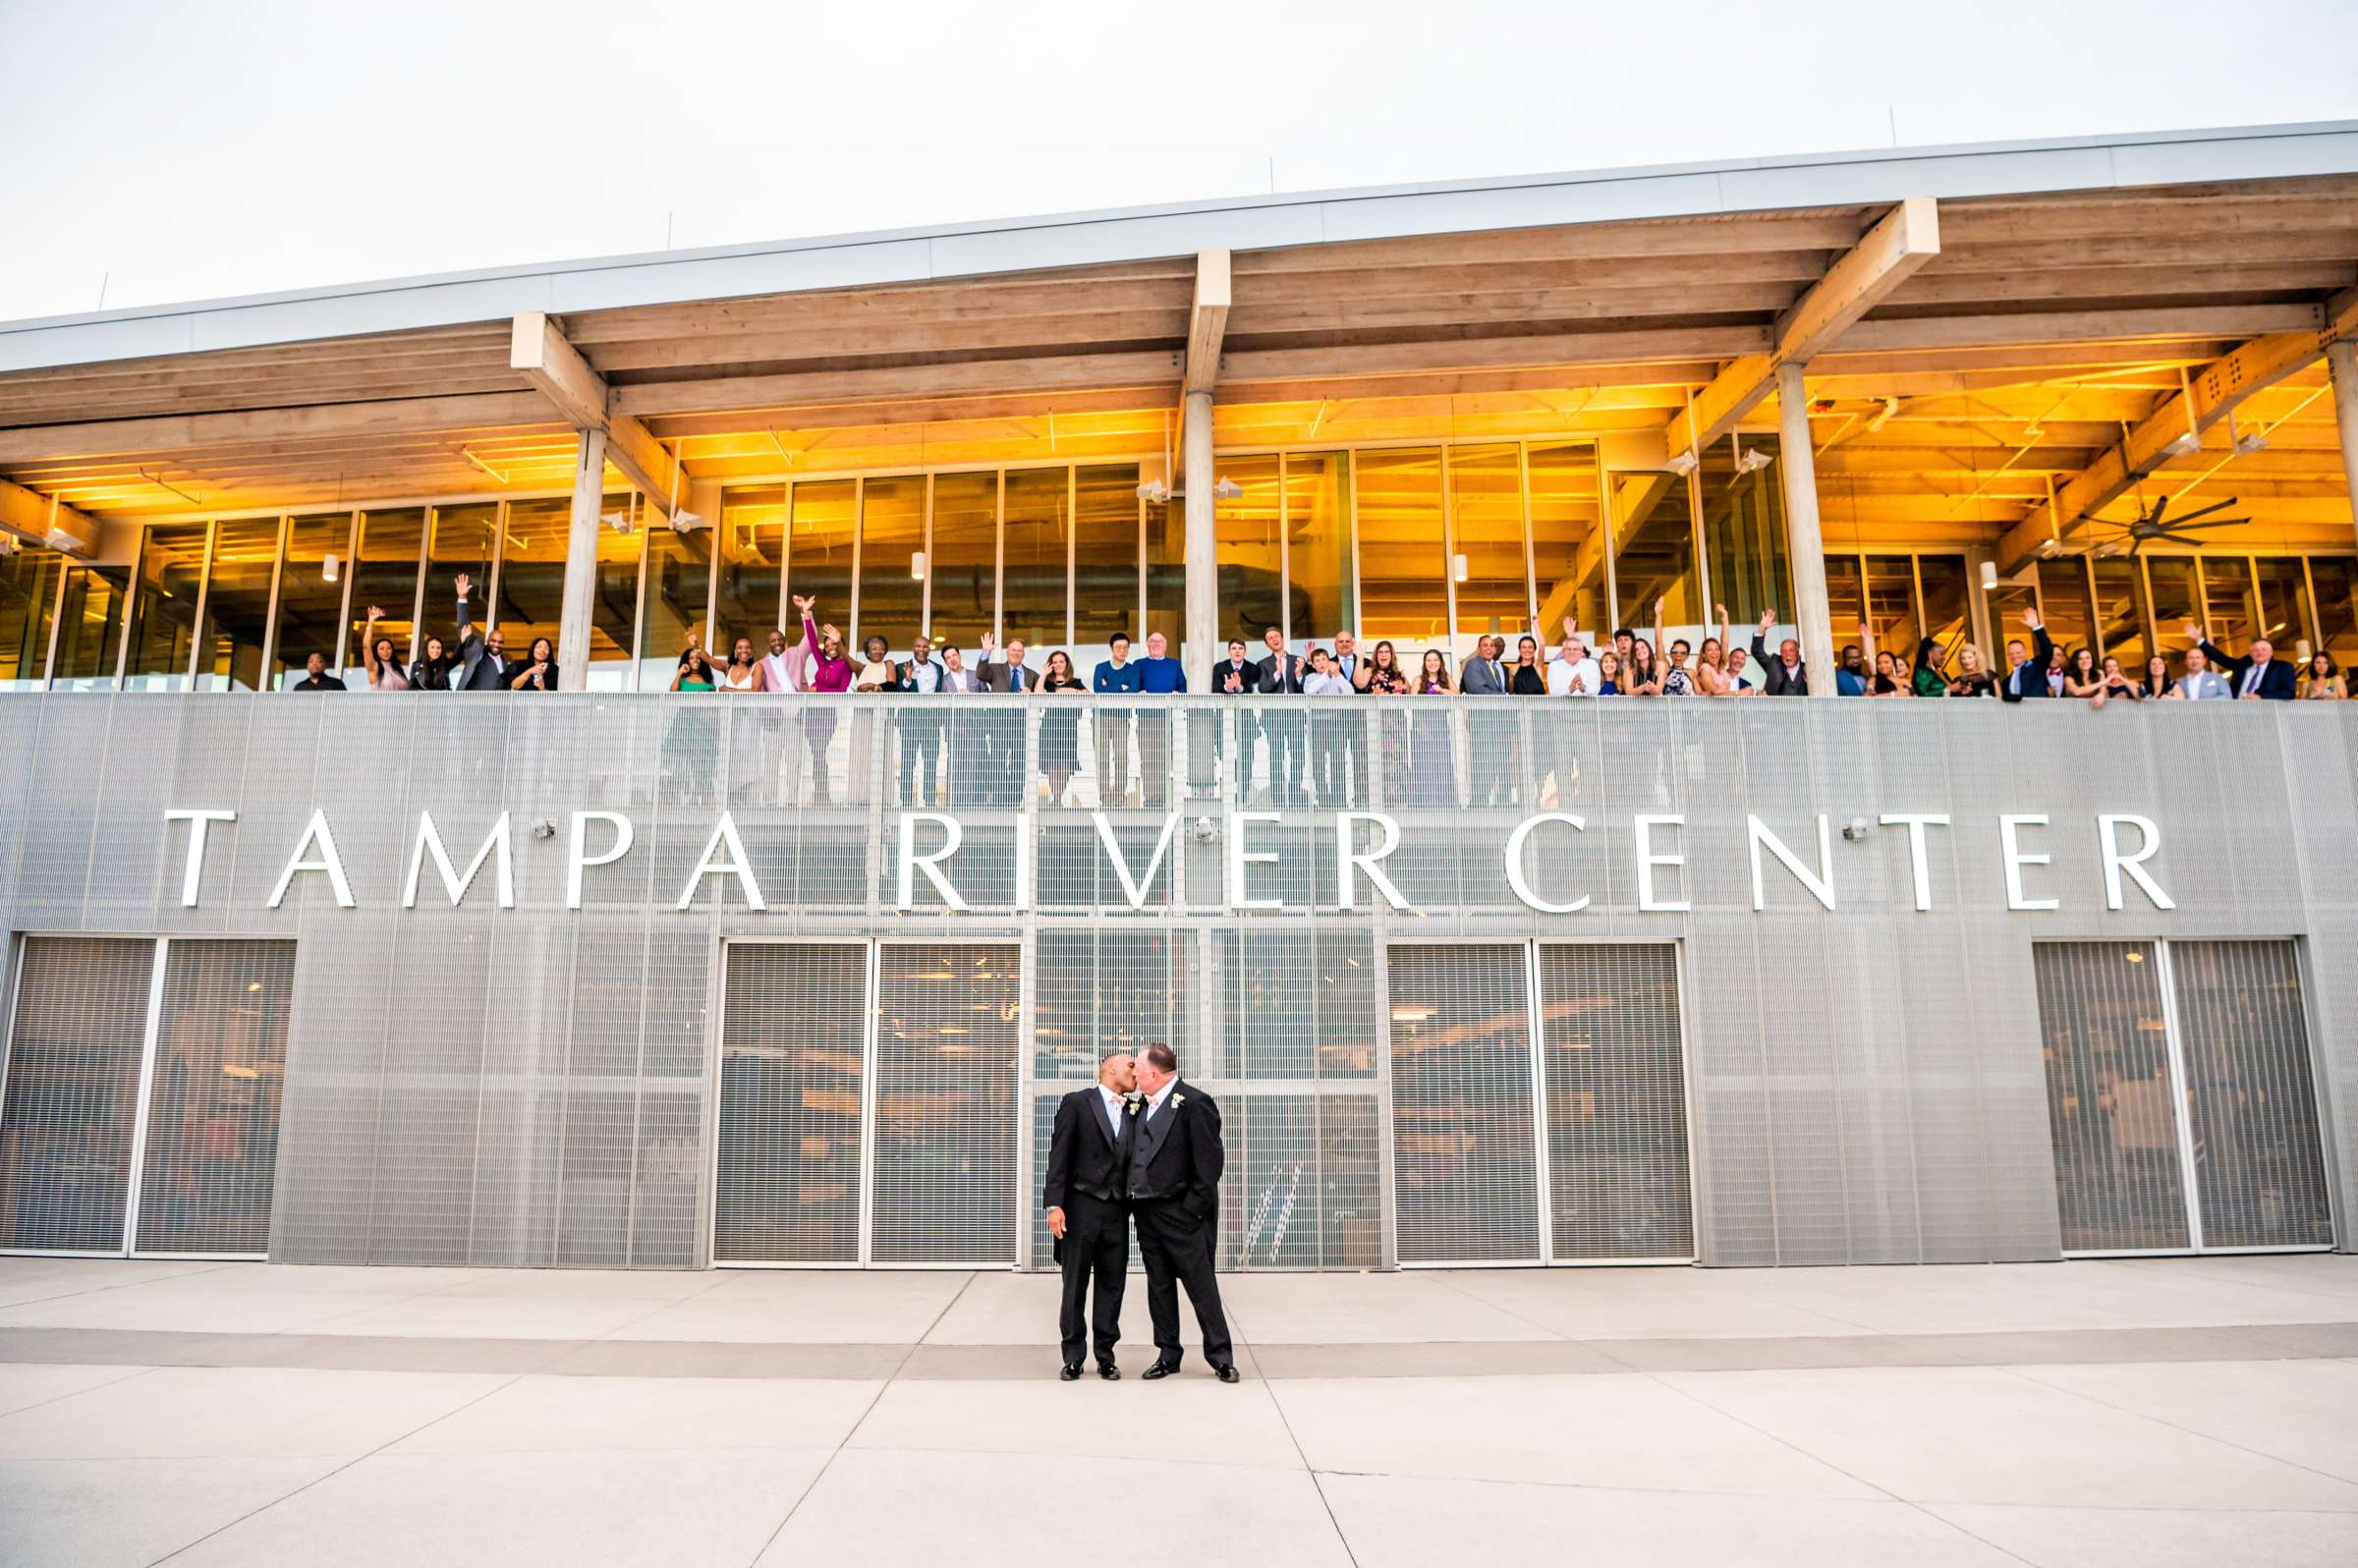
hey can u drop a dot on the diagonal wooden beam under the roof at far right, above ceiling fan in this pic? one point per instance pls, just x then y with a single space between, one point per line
2178 421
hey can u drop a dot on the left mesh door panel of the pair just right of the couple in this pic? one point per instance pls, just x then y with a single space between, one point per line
1465 1157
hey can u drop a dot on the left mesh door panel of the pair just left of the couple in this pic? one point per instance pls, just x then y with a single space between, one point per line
793 1058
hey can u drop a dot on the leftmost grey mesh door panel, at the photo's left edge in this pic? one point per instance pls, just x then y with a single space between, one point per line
74 1093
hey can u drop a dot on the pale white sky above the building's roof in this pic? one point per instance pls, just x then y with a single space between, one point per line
183 152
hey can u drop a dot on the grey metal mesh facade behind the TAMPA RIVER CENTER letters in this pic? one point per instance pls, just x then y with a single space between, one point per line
539 1086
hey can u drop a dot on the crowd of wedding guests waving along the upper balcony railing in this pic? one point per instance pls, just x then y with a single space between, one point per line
1317 756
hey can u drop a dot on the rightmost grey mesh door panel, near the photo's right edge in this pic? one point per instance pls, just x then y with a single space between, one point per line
2260 1166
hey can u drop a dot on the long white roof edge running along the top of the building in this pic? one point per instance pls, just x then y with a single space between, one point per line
1244 223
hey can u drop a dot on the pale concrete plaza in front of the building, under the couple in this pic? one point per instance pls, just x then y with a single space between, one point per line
2154 1411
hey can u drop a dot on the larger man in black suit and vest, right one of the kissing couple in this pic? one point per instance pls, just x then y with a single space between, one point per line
1175 1201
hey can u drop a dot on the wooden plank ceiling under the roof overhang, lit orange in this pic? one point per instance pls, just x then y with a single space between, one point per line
2017 355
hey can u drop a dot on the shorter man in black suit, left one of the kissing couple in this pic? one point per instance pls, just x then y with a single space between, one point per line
1088 1166
